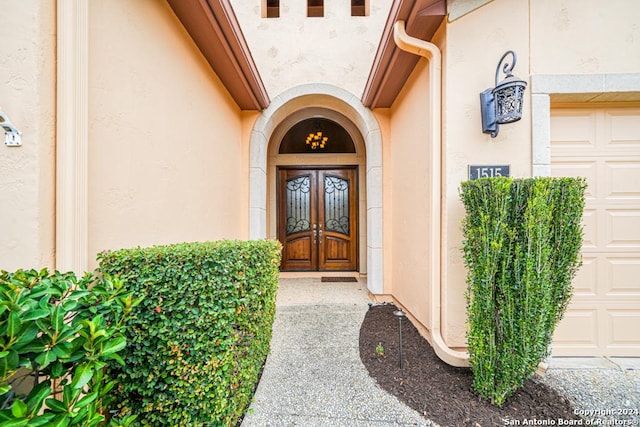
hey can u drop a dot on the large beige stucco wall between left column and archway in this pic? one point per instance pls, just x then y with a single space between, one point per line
166 158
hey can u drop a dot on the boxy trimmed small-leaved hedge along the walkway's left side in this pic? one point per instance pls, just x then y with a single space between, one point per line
199 339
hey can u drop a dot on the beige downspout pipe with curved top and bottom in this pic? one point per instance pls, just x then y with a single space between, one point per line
432 53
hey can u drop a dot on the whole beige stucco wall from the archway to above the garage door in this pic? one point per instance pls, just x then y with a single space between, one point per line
587 38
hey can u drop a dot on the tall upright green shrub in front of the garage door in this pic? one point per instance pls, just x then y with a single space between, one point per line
522 249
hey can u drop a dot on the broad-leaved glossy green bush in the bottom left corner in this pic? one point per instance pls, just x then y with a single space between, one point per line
57 333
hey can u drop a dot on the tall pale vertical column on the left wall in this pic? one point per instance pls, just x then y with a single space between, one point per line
72 136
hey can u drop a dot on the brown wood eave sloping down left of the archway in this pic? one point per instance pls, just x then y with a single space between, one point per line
214 28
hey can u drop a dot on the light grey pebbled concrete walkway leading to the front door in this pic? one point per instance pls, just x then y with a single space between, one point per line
313 375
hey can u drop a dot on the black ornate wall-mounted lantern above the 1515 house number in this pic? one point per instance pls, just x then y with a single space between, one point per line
502 104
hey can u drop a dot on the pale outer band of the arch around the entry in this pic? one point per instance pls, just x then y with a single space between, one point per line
333 98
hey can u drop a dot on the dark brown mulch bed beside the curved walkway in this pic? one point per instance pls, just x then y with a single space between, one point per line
441 392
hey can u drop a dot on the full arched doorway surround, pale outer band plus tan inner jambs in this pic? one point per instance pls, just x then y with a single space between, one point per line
346 109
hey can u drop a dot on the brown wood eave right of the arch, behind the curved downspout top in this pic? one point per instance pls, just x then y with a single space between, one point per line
391 66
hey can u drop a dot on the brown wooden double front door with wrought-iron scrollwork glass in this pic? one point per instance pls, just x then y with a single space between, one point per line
317 218
